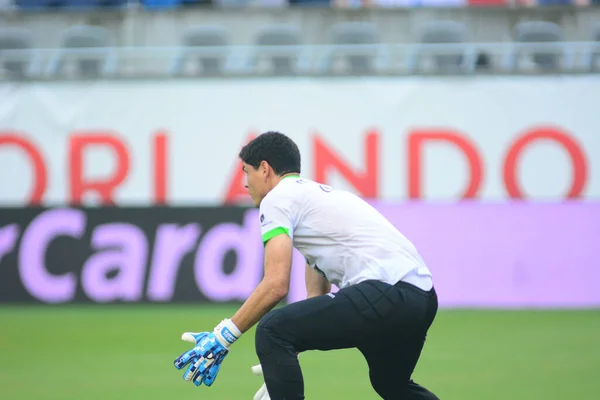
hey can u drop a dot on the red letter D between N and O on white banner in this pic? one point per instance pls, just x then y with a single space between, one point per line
416 141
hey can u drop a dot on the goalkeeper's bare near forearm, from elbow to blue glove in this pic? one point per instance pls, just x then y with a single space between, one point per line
266 296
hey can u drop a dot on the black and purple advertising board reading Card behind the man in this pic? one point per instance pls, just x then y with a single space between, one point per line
481 255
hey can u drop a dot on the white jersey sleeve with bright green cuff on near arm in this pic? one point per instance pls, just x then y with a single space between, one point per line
275 218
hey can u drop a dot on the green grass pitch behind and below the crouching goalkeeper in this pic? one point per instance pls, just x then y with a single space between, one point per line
126 352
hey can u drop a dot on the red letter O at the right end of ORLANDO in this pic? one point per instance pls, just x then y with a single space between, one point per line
545 133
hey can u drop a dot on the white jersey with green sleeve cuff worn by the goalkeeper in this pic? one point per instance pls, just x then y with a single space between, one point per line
341 236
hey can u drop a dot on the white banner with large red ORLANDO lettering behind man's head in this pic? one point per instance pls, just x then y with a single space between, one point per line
176 142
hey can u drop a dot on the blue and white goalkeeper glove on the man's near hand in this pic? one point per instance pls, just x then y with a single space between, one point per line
210 349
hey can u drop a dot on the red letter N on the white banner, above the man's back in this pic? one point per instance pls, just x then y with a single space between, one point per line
366 182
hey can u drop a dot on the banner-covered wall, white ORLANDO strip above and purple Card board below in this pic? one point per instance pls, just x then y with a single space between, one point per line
495 180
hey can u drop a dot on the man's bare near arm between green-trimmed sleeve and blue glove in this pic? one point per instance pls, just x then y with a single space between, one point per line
273 287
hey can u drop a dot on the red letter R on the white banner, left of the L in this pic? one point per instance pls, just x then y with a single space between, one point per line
105 188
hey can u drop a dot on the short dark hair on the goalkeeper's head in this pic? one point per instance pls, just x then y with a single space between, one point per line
277 149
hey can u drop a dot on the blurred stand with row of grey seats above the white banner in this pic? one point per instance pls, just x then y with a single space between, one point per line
123 39
